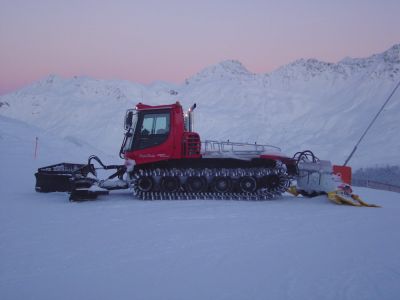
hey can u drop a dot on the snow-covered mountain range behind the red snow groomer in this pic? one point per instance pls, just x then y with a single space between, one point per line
307 104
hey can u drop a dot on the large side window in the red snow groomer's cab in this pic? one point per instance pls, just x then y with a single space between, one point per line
154 131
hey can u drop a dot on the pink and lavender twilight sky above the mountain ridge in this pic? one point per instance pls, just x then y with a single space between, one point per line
147 40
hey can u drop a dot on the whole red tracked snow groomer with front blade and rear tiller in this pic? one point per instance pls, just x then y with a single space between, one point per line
165 159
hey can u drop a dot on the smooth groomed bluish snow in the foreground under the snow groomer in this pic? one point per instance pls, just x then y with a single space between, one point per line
121 248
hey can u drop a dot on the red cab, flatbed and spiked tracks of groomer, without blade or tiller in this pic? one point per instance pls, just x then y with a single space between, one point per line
165 158
